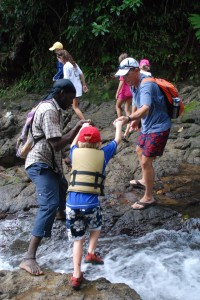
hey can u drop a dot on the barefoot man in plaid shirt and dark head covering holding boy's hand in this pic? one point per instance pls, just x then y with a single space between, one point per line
44 165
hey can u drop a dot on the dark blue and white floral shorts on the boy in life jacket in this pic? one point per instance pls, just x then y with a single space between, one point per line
79 220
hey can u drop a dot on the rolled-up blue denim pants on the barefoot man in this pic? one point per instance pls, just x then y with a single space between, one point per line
51 191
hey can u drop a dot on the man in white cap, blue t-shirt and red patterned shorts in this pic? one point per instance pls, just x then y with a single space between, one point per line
150 108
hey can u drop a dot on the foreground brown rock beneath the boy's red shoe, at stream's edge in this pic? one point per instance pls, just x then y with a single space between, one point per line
18 285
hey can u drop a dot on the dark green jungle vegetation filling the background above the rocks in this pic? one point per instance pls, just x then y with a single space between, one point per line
96 32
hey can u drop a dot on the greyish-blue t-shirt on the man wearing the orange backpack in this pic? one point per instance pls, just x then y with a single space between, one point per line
149 94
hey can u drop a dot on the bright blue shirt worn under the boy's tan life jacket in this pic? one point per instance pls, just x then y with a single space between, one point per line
77 200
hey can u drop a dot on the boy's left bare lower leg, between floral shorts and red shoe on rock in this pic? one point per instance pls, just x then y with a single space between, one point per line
77 257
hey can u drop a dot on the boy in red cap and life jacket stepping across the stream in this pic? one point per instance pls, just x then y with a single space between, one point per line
83 209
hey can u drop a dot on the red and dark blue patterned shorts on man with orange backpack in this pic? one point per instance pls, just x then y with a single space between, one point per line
153 144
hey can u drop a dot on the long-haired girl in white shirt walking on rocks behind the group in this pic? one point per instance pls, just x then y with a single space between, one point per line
73 72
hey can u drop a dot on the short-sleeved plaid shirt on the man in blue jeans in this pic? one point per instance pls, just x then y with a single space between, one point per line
47 122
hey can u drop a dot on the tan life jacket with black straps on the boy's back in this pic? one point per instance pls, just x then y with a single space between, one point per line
86 175
